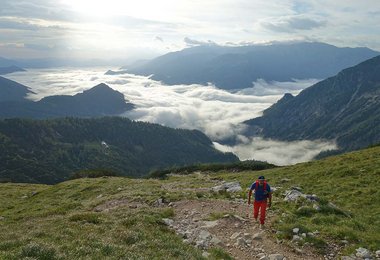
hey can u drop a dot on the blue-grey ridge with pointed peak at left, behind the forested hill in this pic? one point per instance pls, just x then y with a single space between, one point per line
100 100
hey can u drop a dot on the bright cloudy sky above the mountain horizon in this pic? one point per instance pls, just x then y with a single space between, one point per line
132 30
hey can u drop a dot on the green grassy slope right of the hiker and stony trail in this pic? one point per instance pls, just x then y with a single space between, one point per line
350 181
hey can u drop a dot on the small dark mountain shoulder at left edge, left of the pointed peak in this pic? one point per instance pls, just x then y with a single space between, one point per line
12 91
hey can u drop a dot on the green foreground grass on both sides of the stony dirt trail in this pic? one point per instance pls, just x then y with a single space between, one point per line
58 222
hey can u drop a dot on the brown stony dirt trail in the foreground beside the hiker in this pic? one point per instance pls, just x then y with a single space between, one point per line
189 220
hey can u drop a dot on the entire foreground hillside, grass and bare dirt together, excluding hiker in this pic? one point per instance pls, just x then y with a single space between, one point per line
117 217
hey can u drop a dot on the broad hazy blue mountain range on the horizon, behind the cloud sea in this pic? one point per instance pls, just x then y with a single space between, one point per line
238 67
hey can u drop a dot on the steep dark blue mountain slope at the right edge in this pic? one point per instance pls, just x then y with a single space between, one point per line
345 108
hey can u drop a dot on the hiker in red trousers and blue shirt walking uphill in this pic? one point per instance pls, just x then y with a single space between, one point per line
262 194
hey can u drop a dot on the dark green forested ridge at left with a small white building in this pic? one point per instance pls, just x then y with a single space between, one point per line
48 151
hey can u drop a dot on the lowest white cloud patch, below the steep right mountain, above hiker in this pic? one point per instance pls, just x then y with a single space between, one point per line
277 152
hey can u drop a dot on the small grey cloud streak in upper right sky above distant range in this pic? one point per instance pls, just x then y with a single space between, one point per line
292 23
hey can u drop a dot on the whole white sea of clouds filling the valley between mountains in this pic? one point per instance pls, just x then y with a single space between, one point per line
217 113
